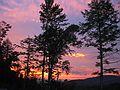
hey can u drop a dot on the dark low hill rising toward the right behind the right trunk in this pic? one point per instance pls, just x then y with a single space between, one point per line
110 83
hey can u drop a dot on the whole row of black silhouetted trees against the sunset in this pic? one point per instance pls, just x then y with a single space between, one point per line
44 52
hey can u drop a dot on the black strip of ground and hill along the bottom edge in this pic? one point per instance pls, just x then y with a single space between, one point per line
110 83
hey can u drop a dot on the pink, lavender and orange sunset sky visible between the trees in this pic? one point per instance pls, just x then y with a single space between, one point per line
23 16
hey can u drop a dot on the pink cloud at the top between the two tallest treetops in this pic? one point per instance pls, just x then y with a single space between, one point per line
73 6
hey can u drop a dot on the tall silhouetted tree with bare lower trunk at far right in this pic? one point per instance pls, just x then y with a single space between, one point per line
100 29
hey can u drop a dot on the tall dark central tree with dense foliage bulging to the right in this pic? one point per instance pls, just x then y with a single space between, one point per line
56 36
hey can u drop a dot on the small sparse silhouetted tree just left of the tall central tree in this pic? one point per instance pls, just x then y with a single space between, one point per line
28 51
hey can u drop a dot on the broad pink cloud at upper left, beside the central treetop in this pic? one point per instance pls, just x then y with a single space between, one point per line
21 13
